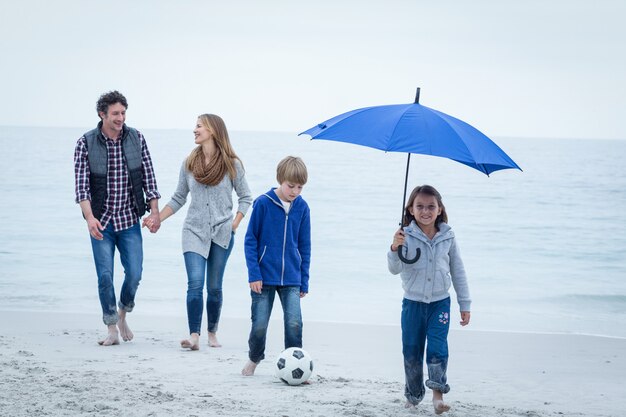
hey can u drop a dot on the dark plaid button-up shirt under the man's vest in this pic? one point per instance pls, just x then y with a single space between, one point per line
119 206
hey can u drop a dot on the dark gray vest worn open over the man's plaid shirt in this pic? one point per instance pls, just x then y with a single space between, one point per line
98 168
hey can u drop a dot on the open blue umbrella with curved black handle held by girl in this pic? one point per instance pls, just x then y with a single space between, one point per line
414 128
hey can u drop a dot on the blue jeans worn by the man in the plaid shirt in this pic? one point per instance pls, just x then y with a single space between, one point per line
130 245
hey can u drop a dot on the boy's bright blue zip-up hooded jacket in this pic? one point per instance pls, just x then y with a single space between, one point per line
278 244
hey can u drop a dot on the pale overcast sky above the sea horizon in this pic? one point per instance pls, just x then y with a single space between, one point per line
511 68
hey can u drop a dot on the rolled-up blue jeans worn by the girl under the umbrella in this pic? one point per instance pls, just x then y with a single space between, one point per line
425 324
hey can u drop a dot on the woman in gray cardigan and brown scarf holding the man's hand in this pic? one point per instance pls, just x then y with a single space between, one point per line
210 173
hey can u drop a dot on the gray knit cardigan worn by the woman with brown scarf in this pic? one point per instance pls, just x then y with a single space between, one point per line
210 214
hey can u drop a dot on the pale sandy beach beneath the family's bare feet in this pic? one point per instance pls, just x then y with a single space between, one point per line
51 365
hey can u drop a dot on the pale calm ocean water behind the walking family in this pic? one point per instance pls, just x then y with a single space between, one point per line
544 249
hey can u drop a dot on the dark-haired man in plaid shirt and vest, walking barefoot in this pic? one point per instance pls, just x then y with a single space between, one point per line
113 172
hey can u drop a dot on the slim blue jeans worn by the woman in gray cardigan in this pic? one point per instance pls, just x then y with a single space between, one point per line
213 267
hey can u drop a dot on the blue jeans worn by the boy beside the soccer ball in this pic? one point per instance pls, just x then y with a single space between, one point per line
261 310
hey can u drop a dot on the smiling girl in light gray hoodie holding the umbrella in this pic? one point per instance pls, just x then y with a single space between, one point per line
426 304
